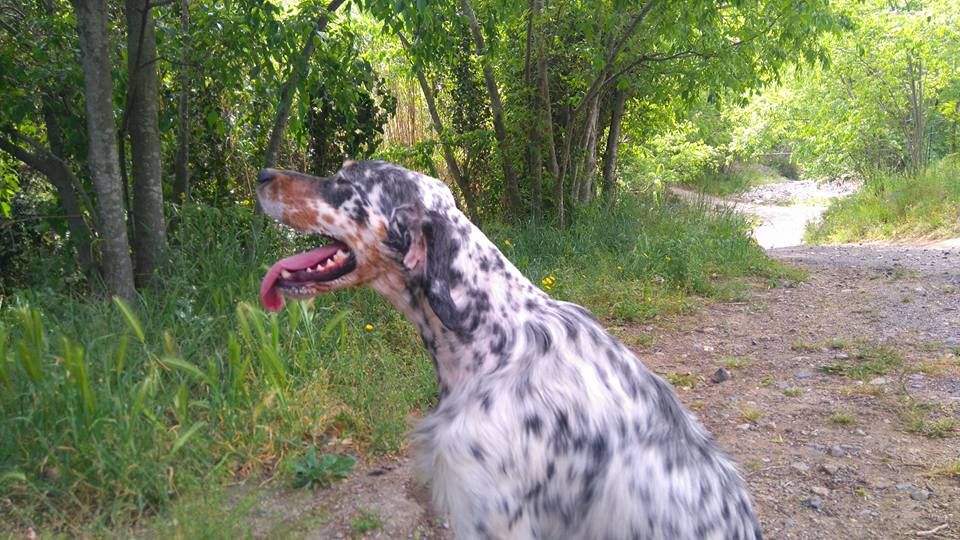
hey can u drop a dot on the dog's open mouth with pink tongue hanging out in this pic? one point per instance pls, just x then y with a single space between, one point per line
302 275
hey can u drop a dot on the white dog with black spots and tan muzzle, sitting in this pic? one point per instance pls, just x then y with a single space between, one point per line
547 427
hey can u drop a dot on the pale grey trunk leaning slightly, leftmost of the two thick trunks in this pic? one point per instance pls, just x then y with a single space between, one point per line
103 156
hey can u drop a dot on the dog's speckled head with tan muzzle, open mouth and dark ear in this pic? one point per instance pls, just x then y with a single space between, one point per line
378 223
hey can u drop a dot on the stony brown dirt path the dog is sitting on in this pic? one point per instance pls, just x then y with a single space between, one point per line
842 406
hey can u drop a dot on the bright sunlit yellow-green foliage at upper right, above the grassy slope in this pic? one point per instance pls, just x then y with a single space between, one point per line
886 100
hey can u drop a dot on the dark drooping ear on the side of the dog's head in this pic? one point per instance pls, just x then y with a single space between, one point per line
423 240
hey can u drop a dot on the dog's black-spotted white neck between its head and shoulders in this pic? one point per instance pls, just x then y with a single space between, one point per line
491 298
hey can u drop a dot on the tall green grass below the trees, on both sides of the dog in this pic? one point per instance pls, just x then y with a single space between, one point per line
108 413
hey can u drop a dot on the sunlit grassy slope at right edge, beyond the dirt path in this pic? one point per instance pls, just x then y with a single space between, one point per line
896 206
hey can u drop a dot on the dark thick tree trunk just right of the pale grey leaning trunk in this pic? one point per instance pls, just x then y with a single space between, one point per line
150 233
